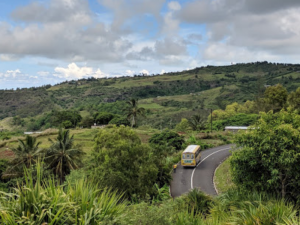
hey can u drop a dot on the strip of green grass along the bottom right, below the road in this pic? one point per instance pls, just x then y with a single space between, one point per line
232 208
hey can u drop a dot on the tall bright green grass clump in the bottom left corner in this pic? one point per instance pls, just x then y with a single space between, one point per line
44 202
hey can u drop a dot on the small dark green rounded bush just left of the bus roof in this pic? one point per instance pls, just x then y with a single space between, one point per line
167 138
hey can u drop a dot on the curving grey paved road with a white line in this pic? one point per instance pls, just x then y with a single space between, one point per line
201 177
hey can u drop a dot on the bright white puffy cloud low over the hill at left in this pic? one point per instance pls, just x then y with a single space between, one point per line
75 72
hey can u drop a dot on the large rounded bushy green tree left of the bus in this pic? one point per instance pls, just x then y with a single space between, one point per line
120 161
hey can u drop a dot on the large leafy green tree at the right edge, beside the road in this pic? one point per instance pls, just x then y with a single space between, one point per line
269 158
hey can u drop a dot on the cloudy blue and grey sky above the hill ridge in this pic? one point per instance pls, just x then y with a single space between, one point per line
50 41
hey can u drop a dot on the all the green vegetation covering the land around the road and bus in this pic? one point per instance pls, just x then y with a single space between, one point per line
121 179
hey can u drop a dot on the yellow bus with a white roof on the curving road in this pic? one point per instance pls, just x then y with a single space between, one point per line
191 156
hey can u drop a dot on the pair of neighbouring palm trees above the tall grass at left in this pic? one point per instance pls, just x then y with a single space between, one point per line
61 157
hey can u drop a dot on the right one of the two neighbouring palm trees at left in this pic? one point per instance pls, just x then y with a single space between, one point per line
63 156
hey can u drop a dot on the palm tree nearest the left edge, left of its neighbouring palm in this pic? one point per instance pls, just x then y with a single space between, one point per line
26 155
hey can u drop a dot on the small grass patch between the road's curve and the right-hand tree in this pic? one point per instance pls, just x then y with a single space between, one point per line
222 178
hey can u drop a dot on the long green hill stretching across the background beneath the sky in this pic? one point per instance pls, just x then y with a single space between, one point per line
170 93
